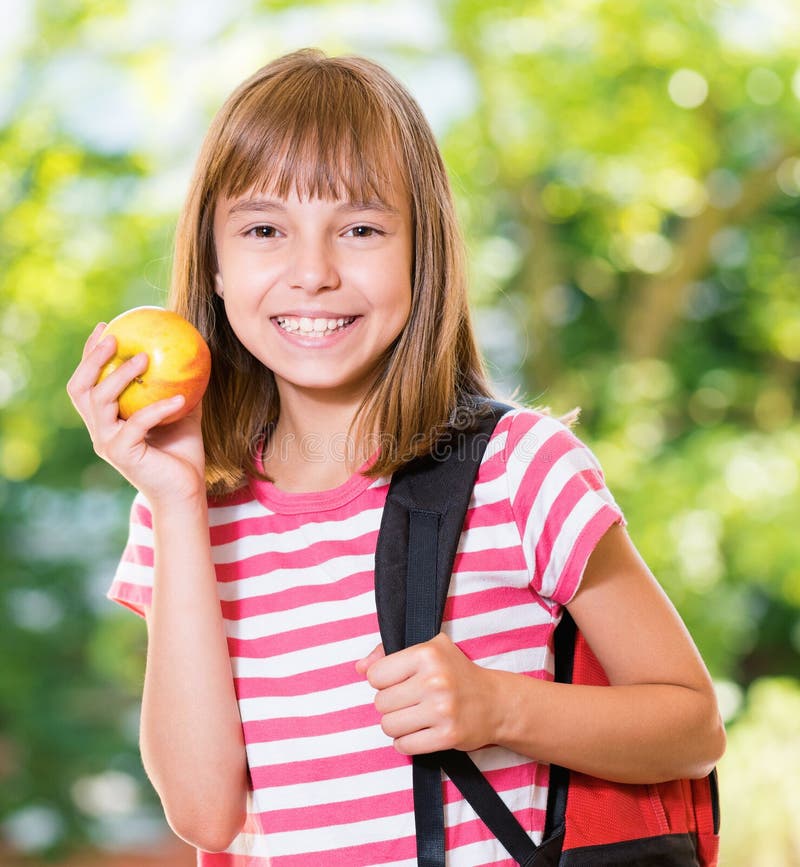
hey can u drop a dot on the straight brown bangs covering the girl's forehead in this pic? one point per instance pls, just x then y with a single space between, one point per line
321 134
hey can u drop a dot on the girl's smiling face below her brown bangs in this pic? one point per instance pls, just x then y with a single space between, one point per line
316 289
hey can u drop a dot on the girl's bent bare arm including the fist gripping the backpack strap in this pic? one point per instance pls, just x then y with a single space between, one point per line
657 721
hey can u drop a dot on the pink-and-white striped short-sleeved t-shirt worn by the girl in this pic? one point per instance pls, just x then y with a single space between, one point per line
295 578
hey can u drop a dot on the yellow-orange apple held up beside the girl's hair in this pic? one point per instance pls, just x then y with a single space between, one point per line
179 361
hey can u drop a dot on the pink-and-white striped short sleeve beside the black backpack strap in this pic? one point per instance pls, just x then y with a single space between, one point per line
559 501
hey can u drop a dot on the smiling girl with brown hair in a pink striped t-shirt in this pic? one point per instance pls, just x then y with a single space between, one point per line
318 253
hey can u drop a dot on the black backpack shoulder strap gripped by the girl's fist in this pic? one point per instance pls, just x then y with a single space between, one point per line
418 540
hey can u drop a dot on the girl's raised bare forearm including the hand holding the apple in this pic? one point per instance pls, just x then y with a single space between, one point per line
191 736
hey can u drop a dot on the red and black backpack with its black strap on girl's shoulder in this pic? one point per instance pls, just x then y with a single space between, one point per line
589 822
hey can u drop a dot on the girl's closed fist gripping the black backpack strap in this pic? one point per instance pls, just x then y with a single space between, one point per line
432 697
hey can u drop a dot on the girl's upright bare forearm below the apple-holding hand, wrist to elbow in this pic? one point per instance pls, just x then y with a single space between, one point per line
191 735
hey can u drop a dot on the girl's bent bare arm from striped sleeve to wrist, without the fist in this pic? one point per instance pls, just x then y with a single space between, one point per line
659 719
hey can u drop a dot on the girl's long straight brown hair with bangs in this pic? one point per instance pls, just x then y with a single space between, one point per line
330 127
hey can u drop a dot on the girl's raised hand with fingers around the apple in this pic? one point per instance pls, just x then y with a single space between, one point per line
167 464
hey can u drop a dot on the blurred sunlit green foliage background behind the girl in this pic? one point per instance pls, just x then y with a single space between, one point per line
628 175
